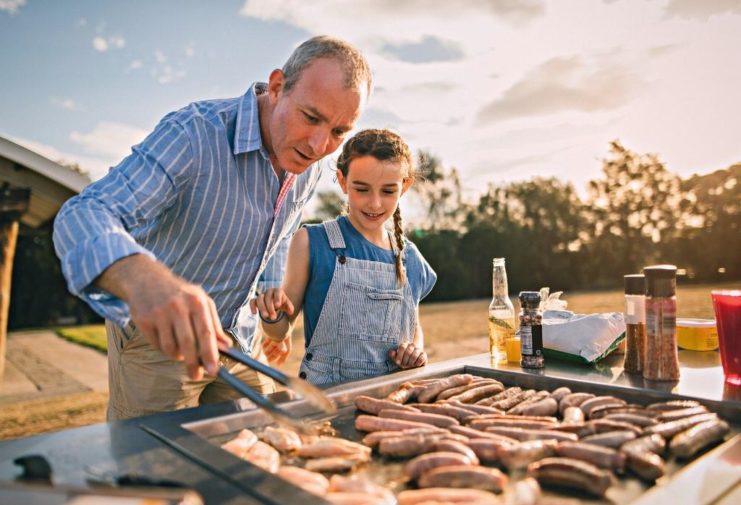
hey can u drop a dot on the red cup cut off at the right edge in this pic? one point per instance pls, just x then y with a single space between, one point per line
727 305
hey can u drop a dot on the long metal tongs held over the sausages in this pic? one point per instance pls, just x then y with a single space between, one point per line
308 392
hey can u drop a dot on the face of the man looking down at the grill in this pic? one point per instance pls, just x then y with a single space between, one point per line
310 120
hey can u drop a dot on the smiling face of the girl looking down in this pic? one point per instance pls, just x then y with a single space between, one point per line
373 189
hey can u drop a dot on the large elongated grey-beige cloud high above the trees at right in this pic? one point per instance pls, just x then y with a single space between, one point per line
563 84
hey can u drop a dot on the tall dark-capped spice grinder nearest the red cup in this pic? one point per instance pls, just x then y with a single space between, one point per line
661 361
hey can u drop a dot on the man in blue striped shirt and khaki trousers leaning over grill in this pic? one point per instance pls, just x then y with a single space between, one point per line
174 241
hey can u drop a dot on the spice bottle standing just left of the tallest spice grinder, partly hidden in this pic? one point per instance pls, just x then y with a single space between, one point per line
635 322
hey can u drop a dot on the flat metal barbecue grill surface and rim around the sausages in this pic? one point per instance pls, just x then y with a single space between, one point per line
198 438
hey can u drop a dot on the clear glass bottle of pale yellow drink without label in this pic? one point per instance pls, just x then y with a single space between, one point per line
501 314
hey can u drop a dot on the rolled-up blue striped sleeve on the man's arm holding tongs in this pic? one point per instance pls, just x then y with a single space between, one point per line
94 229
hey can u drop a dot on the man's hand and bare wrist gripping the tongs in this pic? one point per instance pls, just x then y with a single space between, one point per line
177 317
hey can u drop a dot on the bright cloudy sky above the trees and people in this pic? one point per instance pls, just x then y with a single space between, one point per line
502 90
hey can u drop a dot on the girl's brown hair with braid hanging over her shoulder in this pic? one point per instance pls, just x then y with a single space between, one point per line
384 145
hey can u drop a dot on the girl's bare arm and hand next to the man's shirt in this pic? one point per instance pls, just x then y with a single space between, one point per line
289 298
